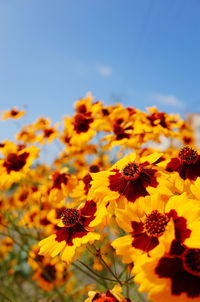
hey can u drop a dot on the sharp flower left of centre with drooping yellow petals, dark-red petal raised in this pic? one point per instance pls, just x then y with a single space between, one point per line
75 228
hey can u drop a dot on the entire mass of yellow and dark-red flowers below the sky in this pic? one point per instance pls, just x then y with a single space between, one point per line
111 218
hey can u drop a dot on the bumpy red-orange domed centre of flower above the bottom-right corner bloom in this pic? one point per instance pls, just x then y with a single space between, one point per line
155 223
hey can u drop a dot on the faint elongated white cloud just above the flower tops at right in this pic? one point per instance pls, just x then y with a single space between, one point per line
170 100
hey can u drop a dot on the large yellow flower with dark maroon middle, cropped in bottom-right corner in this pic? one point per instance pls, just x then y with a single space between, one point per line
170 274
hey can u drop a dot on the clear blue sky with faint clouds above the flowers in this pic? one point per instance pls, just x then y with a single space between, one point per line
139 52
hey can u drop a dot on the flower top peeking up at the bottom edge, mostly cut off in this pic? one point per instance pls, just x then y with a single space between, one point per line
113 295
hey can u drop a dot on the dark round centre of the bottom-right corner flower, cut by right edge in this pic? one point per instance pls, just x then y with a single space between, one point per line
191 261
